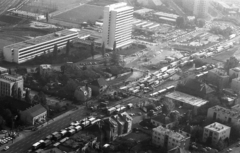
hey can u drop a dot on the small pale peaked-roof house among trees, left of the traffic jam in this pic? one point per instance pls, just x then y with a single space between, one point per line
83 93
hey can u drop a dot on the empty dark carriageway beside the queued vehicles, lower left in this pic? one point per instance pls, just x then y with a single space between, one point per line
23 145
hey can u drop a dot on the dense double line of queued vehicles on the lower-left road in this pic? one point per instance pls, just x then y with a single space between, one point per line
58 137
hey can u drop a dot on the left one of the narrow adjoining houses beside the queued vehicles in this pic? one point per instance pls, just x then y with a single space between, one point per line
110 129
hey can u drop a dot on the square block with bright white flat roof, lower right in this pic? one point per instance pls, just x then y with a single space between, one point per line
216 132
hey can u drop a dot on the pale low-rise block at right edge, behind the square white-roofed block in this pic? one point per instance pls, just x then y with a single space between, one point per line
223 114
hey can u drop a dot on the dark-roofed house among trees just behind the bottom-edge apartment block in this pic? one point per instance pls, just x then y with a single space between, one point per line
162 120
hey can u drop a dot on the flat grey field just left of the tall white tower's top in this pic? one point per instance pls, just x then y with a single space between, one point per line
79 15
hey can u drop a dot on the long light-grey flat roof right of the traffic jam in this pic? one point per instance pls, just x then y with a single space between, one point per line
188 99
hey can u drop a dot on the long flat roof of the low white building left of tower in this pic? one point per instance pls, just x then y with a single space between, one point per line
41 39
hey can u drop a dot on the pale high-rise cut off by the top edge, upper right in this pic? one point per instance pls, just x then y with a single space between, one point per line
200 8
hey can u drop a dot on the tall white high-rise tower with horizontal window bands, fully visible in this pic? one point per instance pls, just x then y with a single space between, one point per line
117 25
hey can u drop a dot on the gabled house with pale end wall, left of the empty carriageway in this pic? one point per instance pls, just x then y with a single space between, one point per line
34 115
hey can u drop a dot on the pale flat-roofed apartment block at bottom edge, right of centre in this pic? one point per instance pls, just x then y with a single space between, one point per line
167 138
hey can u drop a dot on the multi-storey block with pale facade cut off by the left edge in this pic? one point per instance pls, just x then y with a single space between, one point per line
8 81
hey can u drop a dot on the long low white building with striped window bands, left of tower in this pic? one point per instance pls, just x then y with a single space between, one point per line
24 51
